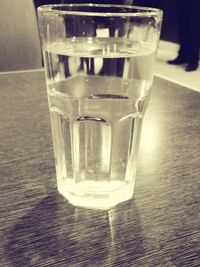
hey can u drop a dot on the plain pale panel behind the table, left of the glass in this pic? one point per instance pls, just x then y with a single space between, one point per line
19 38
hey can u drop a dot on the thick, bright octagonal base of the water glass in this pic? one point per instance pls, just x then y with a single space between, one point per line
95 194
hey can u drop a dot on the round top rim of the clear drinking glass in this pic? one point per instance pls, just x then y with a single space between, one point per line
137 11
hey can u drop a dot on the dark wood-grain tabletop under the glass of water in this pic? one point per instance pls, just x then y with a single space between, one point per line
160 227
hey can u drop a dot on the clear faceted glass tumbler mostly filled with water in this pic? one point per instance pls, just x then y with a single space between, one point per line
99 62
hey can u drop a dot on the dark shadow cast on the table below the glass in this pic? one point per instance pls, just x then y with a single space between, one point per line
54 233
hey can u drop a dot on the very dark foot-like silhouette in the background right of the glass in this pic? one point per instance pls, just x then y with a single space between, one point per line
180 25
